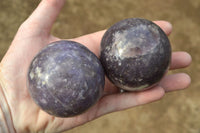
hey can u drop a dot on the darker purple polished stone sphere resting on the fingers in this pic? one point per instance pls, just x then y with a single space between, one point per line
135 54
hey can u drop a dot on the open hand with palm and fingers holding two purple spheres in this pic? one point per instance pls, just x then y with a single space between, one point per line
32 36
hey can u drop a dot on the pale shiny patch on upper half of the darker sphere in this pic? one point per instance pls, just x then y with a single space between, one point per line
139 41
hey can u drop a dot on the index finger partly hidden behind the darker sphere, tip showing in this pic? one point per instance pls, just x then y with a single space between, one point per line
93 40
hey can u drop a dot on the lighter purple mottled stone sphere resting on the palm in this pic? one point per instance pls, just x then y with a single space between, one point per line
65 79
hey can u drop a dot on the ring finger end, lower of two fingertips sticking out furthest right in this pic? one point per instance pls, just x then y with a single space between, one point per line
174 82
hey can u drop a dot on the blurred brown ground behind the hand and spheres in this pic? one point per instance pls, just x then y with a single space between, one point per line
177 112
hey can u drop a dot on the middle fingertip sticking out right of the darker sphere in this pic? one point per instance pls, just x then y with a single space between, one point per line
180 60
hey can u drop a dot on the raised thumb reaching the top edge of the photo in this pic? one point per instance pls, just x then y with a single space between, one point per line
45 14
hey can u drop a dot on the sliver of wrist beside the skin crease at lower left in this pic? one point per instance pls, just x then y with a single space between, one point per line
6 123
